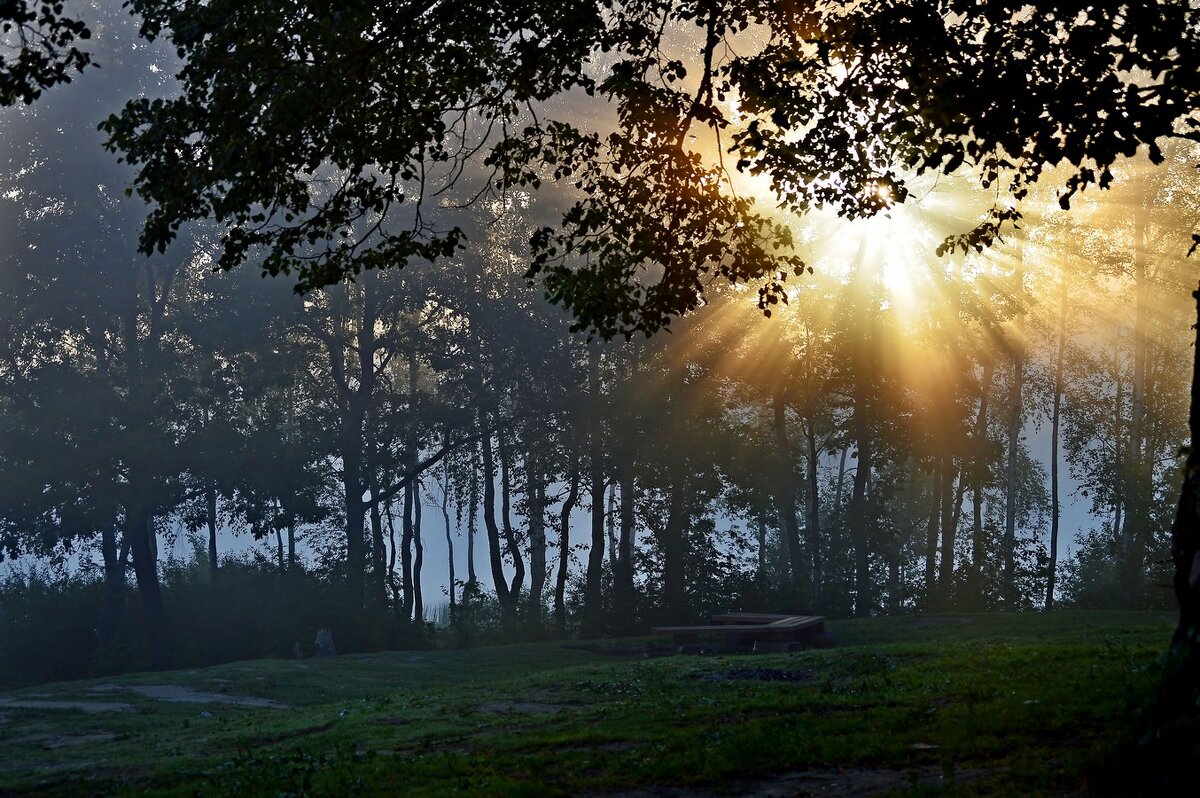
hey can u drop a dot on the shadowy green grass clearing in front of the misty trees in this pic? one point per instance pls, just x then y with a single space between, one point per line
964 705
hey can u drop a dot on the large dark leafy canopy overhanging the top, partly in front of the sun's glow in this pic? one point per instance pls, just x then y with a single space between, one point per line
328 141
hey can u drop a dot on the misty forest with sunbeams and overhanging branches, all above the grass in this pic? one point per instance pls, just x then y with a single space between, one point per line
572 319
